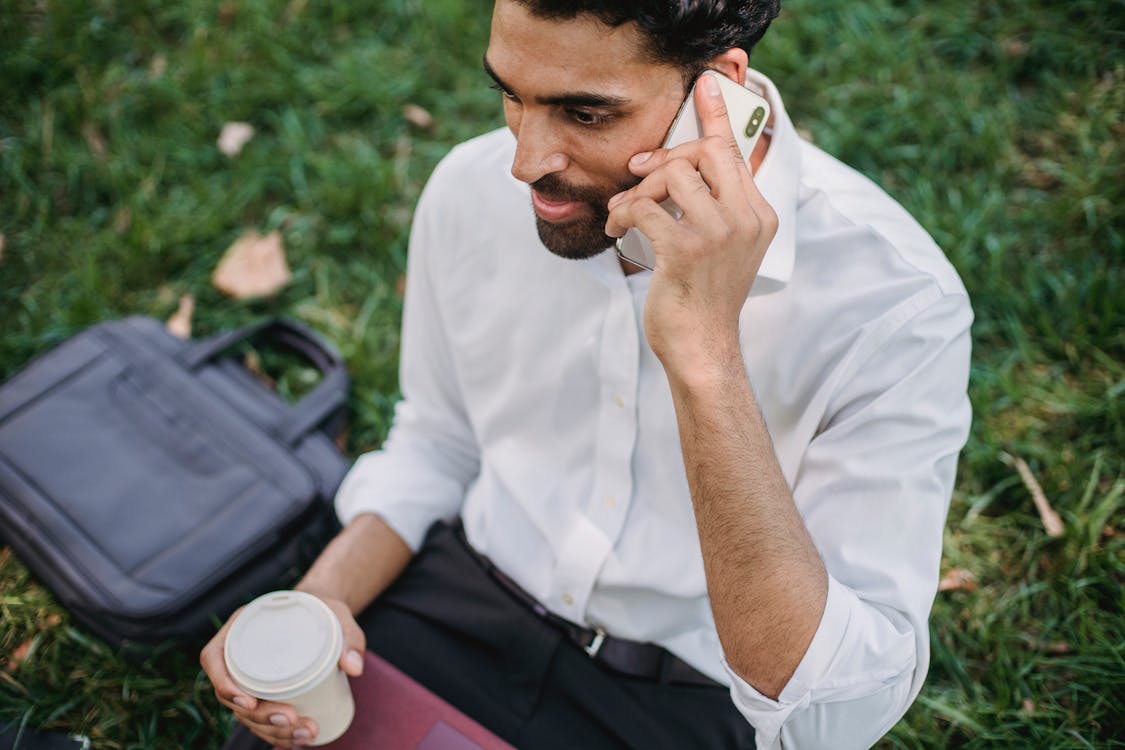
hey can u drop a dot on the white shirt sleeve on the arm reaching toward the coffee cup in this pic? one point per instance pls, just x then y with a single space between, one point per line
431 455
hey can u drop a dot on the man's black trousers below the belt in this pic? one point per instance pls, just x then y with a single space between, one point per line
447 624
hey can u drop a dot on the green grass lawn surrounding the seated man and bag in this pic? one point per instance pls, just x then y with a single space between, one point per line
998 125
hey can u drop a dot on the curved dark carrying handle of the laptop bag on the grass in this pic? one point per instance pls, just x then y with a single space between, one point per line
318 405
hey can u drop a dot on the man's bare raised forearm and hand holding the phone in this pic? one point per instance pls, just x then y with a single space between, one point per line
767 583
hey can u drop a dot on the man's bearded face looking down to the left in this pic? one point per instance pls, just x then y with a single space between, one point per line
581 100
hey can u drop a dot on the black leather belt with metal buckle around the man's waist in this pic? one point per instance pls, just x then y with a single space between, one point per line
632 658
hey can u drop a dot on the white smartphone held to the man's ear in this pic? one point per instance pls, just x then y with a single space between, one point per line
749 113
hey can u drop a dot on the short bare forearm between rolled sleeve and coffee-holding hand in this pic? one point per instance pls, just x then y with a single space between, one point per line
359 564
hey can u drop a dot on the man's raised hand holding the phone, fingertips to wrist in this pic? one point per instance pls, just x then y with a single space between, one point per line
707 260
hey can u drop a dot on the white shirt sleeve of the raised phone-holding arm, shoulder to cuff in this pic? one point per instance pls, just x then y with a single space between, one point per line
874 490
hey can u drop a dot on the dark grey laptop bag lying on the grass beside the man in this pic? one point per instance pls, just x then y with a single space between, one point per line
156 485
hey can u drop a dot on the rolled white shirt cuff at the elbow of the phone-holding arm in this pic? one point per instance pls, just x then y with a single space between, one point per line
835 666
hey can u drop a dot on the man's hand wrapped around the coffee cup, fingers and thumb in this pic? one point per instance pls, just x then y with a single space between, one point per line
277 722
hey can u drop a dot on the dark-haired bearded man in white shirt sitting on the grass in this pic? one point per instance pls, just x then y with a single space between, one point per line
725 481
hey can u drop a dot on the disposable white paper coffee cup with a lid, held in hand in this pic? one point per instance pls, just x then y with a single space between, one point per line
285 647
